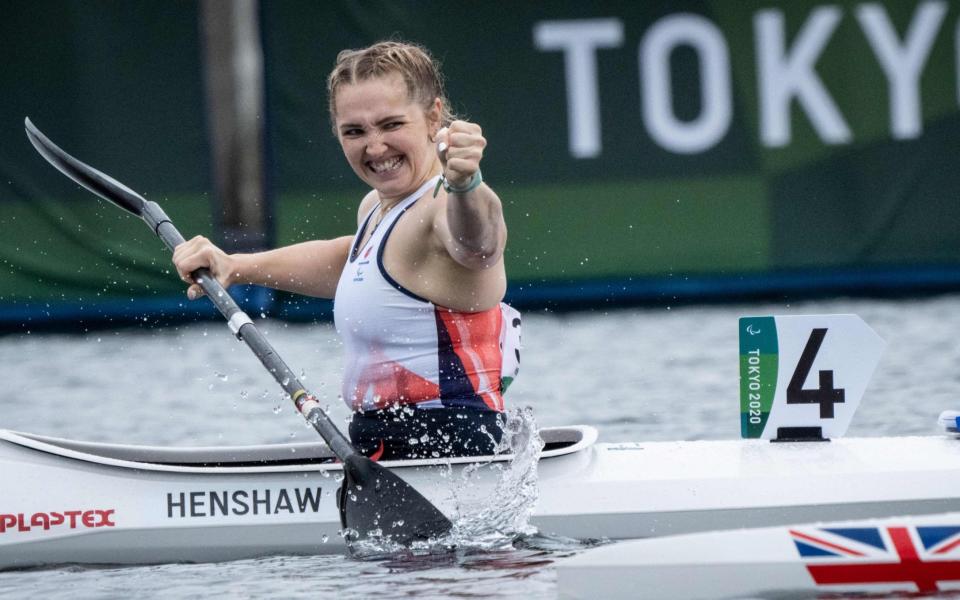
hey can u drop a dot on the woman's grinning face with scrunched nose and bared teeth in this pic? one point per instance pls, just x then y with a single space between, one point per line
386 137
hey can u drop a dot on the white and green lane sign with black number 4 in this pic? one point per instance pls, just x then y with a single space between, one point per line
804 371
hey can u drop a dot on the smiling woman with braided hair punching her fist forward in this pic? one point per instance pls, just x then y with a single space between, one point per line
417 289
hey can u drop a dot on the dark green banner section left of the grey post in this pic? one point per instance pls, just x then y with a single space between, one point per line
117 84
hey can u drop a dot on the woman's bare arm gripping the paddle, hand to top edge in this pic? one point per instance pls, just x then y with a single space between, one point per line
311 268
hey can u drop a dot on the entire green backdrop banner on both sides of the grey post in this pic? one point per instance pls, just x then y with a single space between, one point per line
642 149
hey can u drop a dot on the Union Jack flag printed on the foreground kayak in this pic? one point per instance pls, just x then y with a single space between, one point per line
924 556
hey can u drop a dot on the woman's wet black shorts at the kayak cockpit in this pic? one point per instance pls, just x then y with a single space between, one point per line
409 432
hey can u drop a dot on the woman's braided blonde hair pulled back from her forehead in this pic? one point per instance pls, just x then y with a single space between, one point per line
414 63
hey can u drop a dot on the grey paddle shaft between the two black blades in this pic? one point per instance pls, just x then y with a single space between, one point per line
242 326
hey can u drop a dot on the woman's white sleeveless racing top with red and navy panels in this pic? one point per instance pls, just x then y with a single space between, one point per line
402 349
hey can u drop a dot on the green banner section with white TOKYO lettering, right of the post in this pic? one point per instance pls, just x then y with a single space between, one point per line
661 138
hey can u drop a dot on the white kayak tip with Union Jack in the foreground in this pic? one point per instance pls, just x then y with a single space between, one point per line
903 555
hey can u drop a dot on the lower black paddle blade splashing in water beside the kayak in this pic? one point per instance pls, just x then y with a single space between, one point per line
372 499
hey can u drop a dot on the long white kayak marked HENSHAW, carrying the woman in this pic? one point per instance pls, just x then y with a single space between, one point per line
67 501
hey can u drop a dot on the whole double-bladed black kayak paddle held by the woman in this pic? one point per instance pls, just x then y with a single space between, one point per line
371 497
